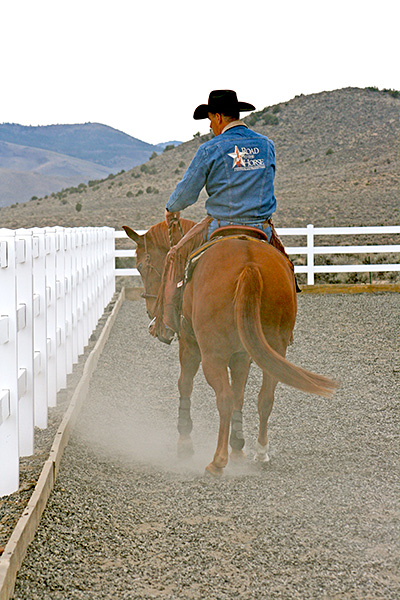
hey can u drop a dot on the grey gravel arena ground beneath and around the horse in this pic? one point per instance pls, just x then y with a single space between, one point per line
126 520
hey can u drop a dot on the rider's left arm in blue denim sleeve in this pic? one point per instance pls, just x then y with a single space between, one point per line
188 189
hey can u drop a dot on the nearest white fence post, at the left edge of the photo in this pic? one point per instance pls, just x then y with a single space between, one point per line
9 451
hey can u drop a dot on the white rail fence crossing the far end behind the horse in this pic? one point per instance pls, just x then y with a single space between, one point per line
310 250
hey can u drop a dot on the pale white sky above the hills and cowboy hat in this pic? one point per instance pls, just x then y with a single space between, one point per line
143 66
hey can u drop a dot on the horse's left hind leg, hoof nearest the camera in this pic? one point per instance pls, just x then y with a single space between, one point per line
216 374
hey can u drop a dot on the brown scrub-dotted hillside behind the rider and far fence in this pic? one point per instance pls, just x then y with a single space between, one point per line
338 163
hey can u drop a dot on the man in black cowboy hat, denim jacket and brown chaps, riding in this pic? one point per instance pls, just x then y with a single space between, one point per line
237 168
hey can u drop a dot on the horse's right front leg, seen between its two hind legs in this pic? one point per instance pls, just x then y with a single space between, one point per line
239 366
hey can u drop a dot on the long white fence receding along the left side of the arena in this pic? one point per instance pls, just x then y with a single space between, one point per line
54 286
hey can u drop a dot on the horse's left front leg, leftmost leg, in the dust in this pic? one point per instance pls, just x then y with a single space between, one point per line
189 357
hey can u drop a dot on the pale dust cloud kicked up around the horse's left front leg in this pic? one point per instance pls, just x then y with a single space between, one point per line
145 432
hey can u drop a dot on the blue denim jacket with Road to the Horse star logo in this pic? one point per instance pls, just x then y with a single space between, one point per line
238 168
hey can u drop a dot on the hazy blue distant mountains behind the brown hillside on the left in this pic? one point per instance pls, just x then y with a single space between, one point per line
36 161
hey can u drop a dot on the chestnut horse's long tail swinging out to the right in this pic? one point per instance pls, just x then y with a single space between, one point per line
247 302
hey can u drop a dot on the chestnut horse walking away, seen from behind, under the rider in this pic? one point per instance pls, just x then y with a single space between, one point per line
239 305
